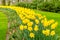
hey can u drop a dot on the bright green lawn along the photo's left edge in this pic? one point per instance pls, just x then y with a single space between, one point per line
3 26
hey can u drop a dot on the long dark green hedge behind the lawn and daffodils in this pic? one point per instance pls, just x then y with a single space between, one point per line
52 6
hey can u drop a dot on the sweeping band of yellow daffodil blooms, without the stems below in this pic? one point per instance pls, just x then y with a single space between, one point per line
31 20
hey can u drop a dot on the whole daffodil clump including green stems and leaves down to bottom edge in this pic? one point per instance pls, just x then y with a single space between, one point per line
35 26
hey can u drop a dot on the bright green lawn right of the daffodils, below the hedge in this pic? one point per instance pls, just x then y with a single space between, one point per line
51 15
